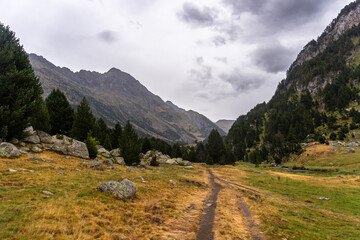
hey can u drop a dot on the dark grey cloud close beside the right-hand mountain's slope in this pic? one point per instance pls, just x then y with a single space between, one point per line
273 57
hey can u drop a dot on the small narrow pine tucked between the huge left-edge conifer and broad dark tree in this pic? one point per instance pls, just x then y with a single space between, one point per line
41 118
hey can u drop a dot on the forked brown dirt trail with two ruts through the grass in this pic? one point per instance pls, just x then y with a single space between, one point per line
207 220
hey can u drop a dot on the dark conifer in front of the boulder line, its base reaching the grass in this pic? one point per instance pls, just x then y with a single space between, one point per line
130 145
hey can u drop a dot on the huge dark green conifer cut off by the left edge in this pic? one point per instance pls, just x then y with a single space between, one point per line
20 89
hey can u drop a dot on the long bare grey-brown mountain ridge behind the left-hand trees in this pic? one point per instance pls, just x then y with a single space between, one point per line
117 96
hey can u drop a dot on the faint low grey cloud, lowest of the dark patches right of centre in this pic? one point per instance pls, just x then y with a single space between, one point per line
242 82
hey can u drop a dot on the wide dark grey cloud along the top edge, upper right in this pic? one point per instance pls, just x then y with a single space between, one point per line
279 14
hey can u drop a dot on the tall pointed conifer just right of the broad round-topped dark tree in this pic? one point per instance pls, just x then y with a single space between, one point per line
84 121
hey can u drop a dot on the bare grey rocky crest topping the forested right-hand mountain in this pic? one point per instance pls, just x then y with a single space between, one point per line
348 17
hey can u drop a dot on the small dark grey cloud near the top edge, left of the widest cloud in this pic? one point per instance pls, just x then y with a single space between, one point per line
197 17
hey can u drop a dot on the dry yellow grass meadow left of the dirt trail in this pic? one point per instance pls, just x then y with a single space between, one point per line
78 211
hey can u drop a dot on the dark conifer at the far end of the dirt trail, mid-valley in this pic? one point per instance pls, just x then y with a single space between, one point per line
215 146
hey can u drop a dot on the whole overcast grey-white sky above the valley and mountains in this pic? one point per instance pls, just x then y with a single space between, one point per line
218 57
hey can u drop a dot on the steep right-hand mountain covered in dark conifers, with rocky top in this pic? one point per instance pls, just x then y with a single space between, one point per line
318 100
